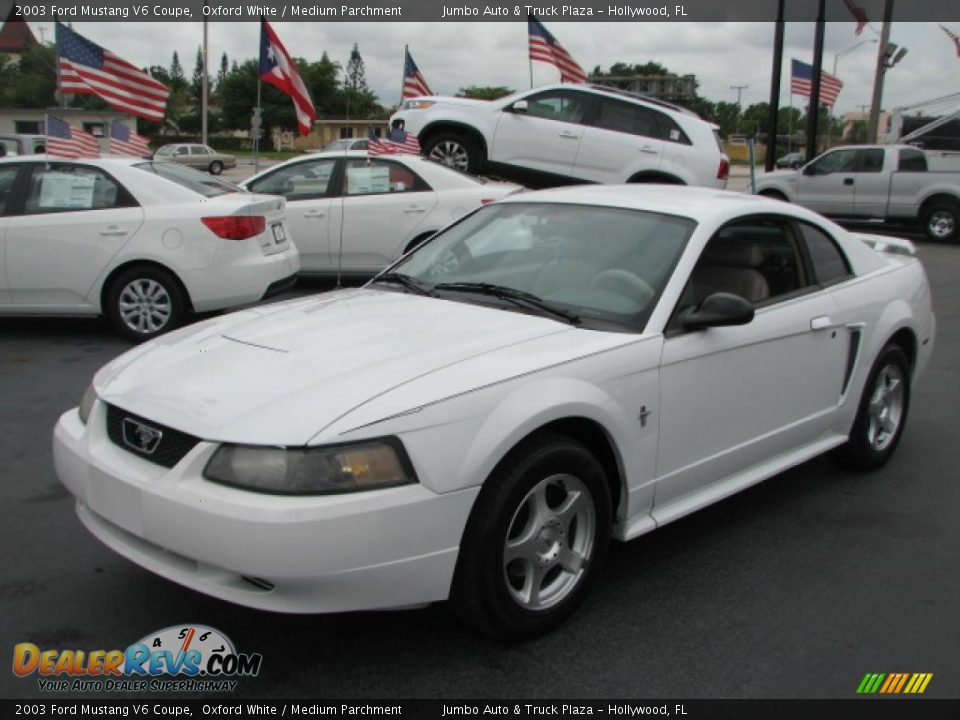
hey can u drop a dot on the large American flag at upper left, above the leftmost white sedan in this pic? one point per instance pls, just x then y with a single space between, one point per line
88 69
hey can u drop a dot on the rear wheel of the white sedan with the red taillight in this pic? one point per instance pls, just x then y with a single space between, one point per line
143 302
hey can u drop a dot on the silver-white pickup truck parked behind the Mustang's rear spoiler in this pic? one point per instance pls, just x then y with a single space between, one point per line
876 183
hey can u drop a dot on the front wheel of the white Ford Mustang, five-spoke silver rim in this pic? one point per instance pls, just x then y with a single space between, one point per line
535 539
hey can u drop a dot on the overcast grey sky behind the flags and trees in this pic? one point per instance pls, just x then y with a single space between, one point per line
454 55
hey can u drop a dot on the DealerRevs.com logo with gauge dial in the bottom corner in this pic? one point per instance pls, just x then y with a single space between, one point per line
181 658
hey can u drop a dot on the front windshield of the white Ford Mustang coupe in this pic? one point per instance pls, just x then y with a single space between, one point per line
600 265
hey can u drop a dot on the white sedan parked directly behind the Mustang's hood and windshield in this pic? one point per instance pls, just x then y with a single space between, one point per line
353 214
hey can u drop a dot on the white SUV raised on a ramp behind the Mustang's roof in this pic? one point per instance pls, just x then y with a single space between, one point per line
569 133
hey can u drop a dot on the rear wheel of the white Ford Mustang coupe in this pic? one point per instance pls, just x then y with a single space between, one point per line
881 415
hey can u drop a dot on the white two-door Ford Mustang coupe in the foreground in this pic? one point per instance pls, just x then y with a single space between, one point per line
476 423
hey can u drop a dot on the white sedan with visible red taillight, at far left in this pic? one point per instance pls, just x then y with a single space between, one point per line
140 242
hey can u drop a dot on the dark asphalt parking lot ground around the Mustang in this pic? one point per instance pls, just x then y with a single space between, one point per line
795 588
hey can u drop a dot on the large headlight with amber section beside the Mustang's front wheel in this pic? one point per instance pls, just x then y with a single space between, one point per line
365 465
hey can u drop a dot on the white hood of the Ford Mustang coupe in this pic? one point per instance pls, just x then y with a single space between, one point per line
278 374
